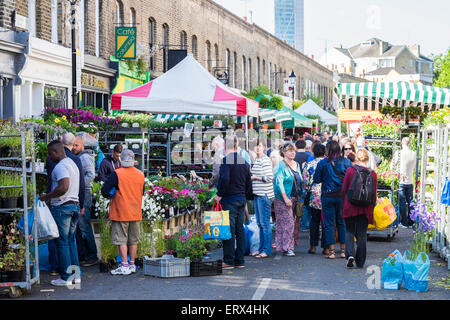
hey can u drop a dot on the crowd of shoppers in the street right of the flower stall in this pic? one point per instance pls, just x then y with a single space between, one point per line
304 181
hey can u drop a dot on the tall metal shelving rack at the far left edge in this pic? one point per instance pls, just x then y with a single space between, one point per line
16 289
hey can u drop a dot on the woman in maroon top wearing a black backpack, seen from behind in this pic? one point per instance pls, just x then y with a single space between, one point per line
358 216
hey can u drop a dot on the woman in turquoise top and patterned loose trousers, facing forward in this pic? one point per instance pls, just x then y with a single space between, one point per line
286 196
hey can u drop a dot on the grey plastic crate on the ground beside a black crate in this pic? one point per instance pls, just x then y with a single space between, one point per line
166 267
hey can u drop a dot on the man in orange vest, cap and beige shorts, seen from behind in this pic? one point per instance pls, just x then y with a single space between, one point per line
125 210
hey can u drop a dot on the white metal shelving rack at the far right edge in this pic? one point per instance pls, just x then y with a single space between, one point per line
435 167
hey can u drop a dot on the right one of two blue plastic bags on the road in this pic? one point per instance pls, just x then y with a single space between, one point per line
416 272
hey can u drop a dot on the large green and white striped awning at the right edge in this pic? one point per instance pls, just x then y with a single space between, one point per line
404 91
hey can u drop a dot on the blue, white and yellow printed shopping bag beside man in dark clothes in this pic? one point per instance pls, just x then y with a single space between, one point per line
217 223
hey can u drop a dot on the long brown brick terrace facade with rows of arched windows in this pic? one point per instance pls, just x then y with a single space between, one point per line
215 36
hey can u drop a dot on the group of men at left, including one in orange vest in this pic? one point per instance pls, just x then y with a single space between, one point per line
71 171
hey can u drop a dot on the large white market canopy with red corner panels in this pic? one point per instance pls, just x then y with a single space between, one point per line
187 88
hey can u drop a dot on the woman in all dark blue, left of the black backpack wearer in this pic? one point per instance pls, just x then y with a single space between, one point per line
331 172
